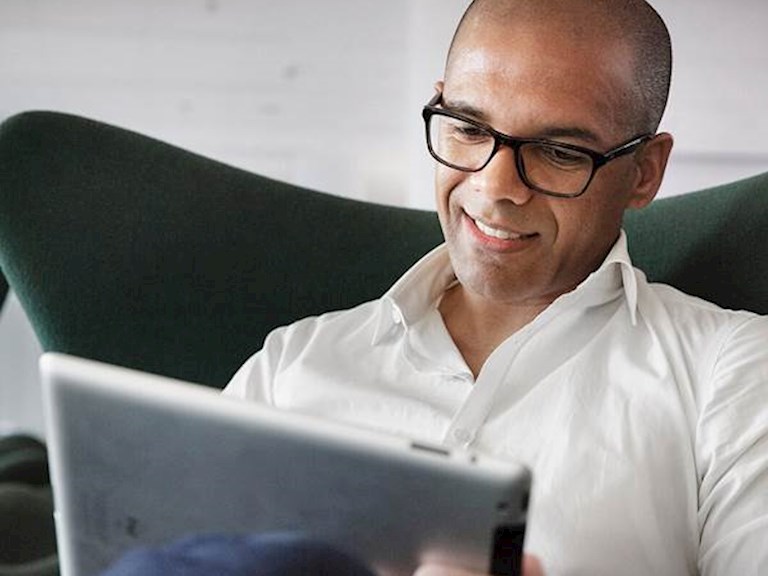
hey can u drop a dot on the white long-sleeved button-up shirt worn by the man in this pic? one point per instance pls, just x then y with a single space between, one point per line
642 412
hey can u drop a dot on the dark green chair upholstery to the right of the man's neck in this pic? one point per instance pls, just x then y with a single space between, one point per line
711 243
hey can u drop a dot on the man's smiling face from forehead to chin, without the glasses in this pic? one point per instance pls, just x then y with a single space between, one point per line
507 243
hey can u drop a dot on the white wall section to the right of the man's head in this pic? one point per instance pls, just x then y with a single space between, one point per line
719 90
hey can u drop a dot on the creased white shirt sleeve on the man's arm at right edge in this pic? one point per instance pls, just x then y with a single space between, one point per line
732 456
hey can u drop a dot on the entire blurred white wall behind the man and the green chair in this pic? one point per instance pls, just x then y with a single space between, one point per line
327 94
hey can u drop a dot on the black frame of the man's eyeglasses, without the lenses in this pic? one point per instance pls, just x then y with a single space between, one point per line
500 139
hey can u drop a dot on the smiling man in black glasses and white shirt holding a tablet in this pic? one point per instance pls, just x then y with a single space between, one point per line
640 410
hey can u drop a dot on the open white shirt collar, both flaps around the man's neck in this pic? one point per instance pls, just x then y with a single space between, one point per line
421 287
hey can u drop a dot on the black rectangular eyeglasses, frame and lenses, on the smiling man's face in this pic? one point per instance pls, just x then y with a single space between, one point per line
546 166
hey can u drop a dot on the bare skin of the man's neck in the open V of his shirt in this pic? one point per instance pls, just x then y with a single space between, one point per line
478 326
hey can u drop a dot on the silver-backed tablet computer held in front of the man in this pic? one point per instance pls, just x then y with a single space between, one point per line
142 460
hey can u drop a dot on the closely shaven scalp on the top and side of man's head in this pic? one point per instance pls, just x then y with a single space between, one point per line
632 25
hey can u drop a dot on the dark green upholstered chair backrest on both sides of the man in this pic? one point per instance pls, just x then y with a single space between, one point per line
134 252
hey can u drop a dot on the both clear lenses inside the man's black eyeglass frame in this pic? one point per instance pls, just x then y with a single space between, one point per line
548 167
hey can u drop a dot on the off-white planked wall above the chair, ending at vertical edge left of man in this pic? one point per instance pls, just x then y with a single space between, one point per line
299 90
